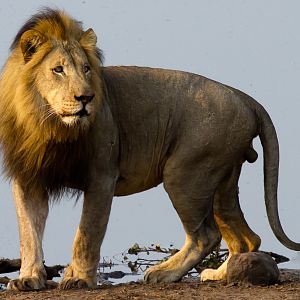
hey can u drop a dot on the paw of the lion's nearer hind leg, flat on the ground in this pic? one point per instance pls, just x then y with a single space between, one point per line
157 274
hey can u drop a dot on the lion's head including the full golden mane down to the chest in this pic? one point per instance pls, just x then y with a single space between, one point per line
50 92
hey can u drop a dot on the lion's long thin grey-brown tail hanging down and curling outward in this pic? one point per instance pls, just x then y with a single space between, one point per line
268 137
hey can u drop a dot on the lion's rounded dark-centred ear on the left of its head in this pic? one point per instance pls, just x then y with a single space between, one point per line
30 41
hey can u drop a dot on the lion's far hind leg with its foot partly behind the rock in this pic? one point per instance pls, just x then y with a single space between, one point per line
232 224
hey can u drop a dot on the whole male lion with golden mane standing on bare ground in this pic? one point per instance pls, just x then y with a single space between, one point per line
69 124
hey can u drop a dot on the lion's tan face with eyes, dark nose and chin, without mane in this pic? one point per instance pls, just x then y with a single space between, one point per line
65 83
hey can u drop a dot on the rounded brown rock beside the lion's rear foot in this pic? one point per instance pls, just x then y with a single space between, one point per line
255 268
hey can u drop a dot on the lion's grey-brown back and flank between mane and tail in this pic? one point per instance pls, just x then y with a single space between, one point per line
160 110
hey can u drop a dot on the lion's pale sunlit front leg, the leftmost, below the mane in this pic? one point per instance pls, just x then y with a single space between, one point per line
32 211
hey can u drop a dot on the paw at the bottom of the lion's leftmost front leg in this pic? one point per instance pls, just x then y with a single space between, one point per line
27 284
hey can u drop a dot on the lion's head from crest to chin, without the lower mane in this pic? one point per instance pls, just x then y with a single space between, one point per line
58 65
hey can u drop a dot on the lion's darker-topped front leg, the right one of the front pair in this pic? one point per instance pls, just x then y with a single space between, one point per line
81 272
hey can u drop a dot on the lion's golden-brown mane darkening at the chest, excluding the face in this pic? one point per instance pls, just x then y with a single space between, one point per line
34 150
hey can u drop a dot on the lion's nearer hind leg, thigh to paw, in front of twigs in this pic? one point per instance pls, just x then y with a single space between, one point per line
192 197
